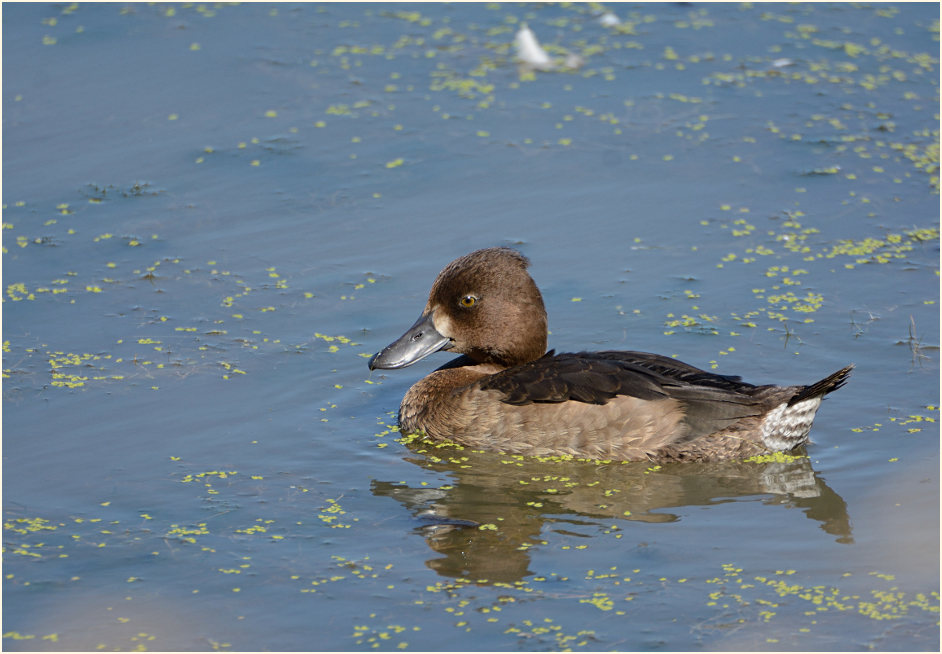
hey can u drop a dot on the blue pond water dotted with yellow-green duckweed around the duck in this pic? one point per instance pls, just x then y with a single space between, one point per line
213 215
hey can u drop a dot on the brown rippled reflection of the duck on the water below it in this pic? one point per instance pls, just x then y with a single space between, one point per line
484 523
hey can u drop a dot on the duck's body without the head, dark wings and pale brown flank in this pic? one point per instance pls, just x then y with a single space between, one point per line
618 404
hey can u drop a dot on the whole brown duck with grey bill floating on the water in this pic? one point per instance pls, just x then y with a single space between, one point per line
505 392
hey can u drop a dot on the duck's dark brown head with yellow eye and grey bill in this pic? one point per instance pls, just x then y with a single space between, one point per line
484 305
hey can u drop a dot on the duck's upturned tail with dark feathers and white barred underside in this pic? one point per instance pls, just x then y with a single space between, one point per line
787 425
